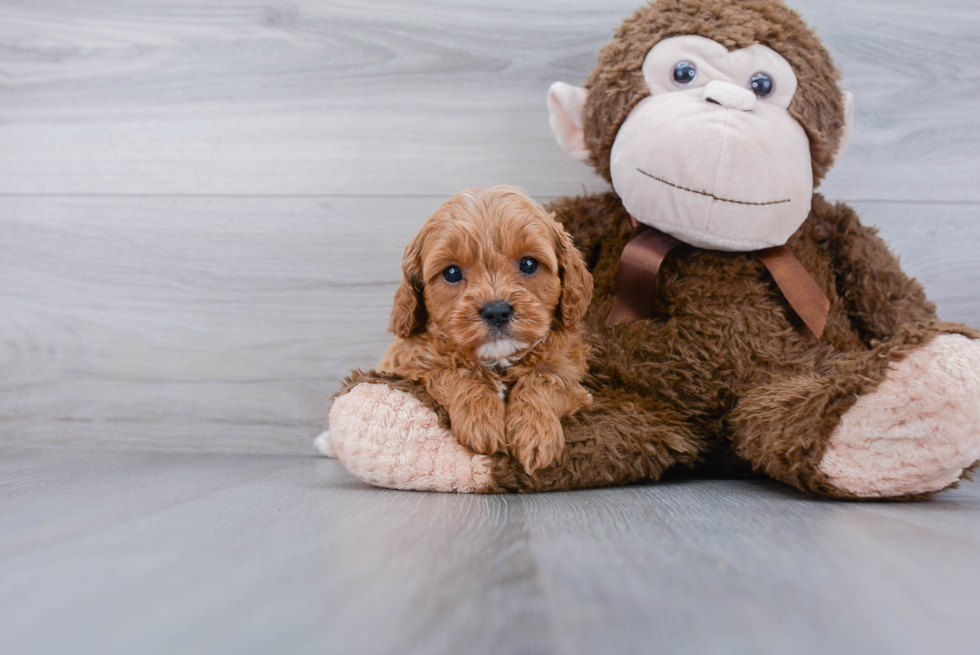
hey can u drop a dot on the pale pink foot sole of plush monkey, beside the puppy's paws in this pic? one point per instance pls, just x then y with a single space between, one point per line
389 439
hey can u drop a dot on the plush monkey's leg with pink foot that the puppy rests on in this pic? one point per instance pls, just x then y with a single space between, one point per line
388 434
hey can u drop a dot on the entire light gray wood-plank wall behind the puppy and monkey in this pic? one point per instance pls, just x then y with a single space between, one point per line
203 205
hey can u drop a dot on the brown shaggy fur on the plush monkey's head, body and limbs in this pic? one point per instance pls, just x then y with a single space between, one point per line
725 375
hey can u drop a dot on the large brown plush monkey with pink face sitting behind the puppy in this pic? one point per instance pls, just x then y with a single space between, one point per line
826 369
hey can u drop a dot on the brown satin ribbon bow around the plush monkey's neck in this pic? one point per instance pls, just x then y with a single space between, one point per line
642 257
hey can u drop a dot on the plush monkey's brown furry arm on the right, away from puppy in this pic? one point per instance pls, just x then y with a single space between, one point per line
879 297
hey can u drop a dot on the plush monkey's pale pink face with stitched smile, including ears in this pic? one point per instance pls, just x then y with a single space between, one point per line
712 155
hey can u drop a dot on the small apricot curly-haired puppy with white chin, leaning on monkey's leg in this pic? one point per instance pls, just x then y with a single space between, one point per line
488 317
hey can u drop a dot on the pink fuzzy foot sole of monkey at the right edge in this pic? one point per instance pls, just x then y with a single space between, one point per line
918 431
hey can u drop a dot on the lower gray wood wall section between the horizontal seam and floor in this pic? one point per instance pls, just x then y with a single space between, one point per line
223 324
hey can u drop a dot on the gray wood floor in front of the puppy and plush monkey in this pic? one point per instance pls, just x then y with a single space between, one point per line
120 553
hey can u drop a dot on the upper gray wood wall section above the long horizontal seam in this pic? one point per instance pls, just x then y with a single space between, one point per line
381 97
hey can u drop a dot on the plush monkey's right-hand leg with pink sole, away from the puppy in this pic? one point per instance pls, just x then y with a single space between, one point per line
901 420
